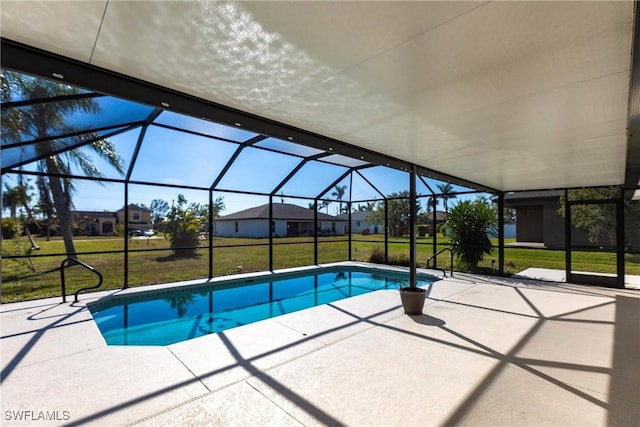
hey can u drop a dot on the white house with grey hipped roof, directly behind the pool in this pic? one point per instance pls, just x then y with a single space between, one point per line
288 220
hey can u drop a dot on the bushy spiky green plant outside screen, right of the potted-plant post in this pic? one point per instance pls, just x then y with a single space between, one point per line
468 225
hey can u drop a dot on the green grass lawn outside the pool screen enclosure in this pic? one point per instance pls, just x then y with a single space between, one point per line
22 280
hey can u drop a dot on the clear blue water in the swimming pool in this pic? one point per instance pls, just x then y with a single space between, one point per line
169 316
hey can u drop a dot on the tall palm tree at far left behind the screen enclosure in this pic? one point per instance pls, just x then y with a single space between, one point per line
42 120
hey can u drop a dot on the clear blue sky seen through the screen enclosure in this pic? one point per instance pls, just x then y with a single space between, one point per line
174 157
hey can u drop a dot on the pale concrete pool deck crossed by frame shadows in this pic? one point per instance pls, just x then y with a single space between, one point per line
487 351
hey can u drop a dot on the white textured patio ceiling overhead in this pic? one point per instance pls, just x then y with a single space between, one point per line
509 95
